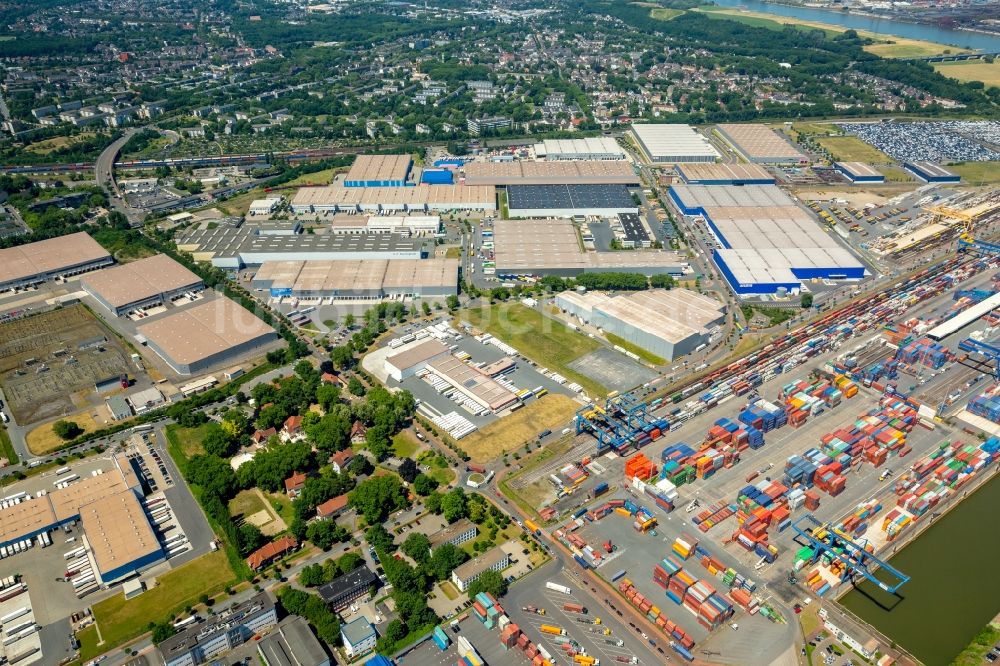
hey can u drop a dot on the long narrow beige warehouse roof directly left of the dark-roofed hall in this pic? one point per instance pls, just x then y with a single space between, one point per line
437 195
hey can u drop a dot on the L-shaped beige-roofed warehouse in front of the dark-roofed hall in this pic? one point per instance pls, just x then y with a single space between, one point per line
552 247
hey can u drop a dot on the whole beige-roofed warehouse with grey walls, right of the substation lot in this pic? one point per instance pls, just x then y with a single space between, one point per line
205 335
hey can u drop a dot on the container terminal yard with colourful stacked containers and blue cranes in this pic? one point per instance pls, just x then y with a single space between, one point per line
774 482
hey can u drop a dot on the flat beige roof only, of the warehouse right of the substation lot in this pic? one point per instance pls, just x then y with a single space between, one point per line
203 330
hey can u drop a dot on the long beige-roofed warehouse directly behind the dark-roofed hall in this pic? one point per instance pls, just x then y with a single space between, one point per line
590 172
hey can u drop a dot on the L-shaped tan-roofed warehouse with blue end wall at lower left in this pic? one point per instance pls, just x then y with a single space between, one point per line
117 533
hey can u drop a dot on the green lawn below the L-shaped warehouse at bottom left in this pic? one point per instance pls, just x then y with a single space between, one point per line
121 621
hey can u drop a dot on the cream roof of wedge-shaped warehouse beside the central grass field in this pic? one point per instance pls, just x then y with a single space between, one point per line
673 315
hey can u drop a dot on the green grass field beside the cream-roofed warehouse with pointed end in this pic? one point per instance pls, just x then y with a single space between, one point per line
547 342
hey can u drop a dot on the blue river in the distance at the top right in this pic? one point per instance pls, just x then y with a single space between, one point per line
930 33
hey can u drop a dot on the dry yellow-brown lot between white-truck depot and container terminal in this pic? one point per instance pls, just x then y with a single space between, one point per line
511 432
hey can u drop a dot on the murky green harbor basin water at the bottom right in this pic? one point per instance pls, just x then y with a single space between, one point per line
954 589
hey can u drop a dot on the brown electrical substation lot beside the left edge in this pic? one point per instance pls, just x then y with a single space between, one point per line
43 369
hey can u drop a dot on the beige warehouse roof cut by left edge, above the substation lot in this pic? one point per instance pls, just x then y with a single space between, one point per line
49 256
